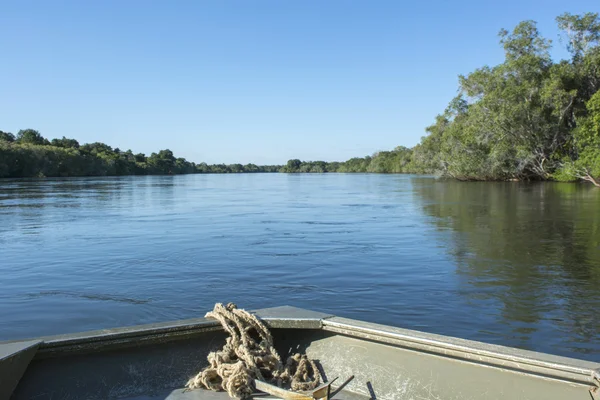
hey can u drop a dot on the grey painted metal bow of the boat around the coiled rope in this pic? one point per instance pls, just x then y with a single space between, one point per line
154 362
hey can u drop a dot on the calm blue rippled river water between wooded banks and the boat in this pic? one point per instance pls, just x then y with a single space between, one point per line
506 263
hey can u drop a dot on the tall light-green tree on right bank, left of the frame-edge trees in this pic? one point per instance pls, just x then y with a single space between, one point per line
506 124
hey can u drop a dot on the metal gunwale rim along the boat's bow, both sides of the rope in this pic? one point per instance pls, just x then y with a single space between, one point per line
524 361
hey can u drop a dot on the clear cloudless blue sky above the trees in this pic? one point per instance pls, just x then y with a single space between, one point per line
248 81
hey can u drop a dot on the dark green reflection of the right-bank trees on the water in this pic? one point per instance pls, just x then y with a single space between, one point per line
530 250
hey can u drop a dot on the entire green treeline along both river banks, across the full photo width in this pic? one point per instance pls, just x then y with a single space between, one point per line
528 118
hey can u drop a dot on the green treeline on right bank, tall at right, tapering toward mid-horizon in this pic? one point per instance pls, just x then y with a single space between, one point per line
529 118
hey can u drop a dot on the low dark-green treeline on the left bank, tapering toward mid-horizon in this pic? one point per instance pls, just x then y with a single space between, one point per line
29 154
